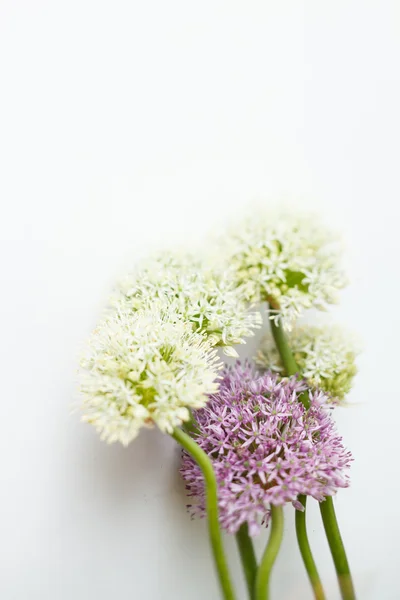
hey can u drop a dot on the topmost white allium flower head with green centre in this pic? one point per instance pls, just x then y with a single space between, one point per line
288 260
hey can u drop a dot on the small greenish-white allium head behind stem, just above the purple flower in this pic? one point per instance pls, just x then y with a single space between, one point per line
325 354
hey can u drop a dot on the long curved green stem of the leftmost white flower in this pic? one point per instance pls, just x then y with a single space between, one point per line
210 481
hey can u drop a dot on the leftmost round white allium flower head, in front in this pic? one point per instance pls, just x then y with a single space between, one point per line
142 369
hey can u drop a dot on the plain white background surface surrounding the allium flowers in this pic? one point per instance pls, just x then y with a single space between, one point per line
127 124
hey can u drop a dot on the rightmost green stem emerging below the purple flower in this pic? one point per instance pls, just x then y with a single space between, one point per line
337 549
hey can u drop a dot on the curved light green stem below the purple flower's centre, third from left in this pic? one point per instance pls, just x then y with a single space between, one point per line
270 554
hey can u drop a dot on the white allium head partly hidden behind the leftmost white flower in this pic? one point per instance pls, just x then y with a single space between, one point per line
202 295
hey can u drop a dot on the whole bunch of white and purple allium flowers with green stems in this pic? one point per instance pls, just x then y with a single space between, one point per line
254 437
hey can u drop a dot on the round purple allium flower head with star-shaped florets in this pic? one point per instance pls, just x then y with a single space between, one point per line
265 447
